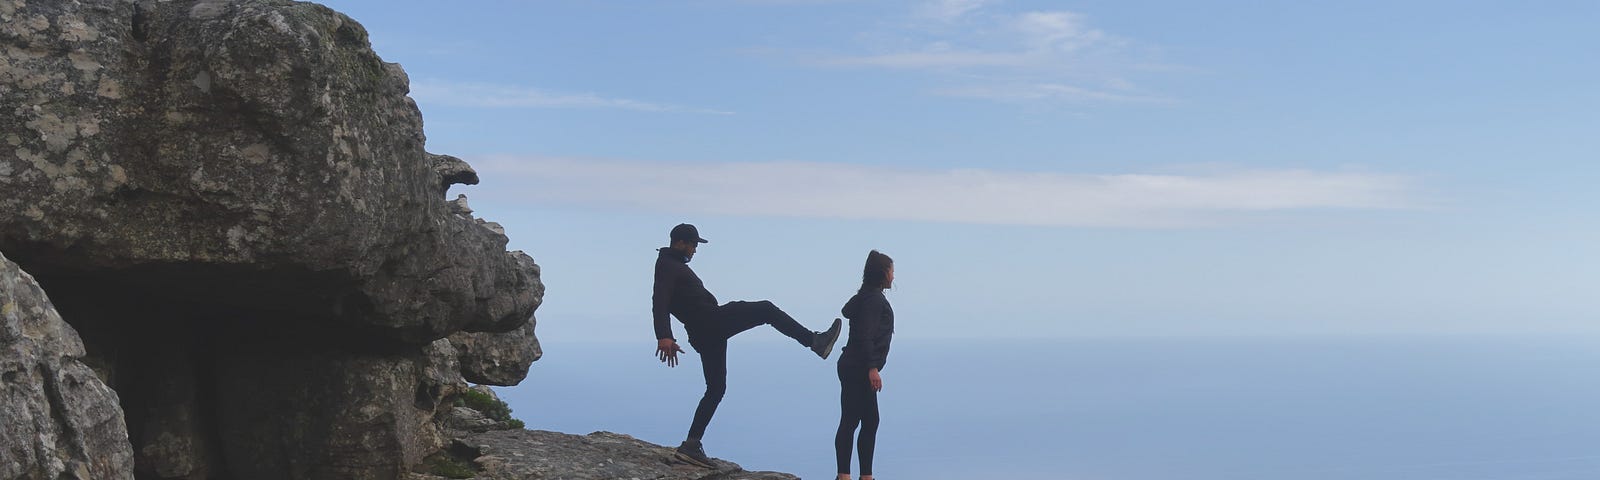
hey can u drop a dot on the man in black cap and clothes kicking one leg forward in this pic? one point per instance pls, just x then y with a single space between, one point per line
679 292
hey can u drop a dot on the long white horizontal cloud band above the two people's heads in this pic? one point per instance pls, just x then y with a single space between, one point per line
938 196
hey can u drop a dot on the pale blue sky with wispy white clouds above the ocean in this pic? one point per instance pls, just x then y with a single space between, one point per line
1038 169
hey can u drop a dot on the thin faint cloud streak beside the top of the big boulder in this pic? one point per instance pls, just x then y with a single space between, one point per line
508 97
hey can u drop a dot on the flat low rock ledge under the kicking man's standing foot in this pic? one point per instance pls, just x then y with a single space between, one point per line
538 455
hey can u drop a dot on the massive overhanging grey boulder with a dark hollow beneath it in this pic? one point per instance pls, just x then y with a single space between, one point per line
231 202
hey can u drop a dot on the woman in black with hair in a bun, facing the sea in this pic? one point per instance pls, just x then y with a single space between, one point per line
871 329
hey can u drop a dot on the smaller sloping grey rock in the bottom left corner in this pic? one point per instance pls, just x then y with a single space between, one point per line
60 420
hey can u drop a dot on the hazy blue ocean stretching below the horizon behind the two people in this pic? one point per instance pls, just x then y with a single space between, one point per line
1182 409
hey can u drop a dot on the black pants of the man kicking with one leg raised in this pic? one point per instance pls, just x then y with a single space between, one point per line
711 342
